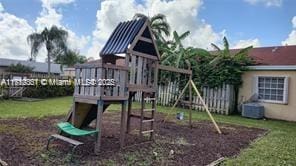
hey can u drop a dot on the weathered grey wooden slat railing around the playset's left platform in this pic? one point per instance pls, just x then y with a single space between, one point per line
101 81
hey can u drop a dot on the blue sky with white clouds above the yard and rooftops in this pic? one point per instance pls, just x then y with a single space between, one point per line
89 23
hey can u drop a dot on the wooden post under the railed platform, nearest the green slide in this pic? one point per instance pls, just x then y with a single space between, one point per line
99 125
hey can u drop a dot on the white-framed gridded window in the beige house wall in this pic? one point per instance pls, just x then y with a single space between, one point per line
272 89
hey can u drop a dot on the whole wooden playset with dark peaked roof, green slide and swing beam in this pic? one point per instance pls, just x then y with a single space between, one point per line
130 58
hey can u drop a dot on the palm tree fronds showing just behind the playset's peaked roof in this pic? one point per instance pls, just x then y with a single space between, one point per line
159 25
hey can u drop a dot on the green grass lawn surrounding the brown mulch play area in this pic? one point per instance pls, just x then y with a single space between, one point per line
278 147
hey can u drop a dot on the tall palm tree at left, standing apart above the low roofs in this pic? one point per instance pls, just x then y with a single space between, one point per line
53 38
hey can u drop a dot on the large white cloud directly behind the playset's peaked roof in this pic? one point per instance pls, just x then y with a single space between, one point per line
181 16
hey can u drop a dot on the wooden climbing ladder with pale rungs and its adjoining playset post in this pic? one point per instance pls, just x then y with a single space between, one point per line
146 114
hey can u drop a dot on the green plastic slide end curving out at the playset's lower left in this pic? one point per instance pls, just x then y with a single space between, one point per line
71 130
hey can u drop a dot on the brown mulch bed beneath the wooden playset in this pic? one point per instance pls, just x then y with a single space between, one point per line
22 142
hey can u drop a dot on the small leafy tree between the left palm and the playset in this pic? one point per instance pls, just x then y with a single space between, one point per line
70 58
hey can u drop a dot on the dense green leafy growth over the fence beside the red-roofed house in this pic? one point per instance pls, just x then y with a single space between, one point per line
225 66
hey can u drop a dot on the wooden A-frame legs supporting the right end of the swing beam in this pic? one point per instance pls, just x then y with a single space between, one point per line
191 83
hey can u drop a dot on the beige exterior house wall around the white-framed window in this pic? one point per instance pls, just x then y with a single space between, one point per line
272 110
